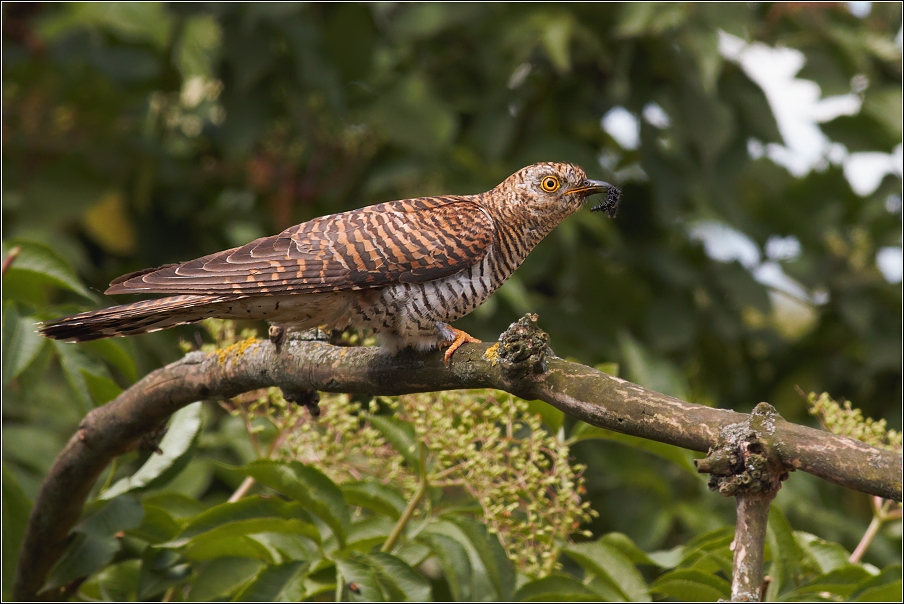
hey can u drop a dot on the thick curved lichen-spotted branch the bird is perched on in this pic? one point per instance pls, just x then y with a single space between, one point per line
587 394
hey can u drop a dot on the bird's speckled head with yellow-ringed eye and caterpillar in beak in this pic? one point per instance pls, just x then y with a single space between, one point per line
551 190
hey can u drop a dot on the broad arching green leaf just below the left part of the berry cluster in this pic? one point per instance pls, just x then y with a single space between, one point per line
310 487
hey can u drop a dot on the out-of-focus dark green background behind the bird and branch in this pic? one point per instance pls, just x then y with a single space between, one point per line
140 134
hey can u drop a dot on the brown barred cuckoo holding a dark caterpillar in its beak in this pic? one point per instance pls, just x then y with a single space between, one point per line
403 269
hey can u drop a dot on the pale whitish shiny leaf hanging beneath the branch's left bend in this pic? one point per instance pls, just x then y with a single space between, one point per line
177 447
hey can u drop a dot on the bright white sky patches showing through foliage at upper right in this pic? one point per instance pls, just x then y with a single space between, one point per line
798 106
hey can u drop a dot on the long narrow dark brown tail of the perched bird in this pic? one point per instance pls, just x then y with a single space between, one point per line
132 319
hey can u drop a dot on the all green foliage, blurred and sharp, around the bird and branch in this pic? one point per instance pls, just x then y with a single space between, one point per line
140 134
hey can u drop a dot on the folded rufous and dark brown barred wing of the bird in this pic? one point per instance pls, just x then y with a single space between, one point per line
409 241
